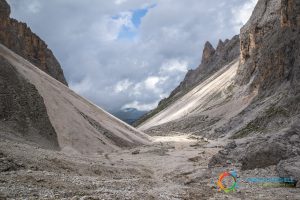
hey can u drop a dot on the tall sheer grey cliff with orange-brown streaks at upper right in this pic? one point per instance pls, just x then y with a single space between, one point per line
270 46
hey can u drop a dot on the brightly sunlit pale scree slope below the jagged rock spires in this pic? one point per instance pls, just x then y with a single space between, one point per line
198 99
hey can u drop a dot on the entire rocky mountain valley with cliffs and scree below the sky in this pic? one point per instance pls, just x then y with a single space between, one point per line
239 111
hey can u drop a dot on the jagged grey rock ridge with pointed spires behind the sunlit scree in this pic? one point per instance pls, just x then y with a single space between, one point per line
212 61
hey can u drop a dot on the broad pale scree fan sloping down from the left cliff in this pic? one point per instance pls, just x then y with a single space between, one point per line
81 126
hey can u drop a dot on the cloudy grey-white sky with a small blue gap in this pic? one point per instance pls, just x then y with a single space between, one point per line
130 53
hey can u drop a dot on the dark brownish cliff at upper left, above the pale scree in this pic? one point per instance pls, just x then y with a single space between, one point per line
19 38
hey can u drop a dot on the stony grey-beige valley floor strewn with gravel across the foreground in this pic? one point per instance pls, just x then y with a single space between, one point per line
174 167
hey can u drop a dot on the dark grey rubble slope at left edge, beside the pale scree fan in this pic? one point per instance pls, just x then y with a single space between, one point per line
22 110
